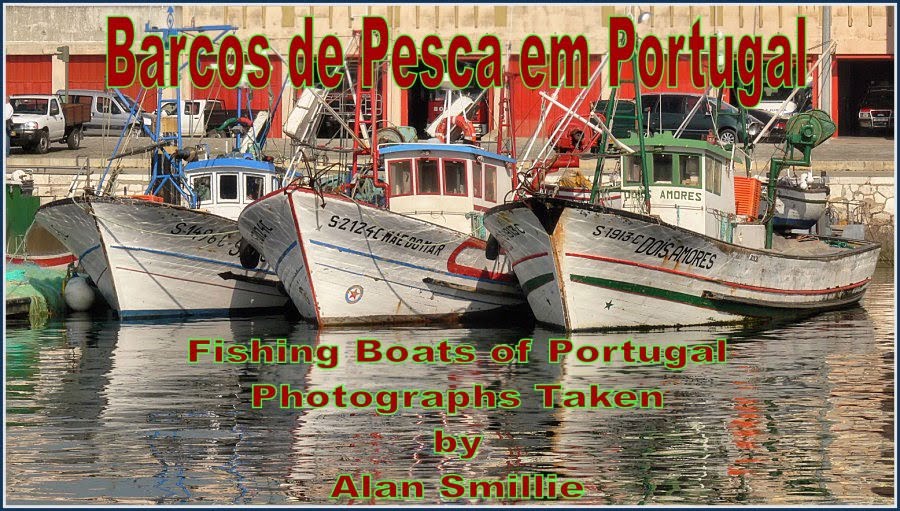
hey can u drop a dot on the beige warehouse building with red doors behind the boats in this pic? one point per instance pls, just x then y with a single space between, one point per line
864 36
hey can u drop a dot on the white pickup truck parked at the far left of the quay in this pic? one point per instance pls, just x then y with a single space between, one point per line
39 119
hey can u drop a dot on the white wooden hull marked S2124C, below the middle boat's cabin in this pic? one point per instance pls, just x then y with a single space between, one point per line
347 263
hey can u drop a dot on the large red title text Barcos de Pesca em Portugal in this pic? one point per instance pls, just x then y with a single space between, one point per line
556 60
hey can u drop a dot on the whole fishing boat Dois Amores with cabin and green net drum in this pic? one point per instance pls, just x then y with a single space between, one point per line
693 260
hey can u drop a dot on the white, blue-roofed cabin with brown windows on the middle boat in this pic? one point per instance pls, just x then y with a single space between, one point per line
445 183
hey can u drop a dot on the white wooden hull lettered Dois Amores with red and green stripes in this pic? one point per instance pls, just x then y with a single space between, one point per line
586 267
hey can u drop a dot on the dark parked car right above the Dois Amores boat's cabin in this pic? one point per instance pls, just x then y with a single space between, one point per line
666 111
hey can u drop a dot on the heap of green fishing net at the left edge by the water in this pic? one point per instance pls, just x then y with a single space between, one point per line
42 286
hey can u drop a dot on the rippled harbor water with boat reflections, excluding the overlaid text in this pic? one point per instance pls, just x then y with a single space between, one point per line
103 412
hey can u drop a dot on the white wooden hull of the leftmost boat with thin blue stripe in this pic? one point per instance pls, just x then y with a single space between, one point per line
150 259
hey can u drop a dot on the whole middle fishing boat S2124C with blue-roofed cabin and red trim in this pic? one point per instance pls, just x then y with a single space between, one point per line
404 254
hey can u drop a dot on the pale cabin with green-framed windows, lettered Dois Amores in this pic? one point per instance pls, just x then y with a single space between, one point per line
691 184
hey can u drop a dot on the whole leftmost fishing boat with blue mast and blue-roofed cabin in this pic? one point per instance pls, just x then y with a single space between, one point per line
174 250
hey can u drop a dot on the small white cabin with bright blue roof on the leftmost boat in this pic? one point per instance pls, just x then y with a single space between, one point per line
226 185
